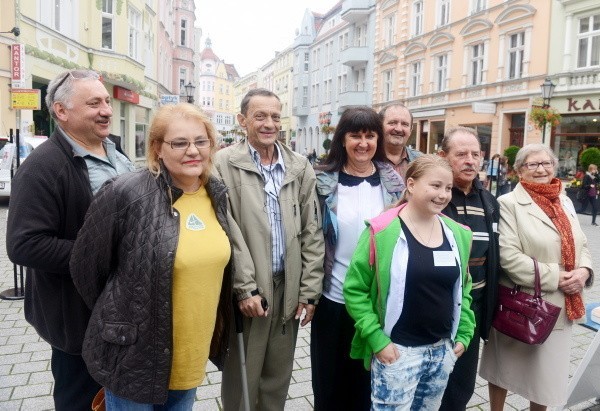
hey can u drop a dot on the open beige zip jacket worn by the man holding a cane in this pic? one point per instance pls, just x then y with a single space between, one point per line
301 219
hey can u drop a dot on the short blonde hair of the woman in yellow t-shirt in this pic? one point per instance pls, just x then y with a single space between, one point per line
160 123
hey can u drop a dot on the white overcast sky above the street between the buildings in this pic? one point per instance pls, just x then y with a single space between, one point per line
248 33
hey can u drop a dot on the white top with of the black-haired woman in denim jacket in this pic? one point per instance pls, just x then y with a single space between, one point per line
355 205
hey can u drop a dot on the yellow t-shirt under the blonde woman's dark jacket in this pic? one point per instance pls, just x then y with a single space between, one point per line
202 254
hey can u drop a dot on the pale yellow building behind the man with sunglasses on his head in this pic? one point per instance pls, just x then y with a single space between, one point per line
113 37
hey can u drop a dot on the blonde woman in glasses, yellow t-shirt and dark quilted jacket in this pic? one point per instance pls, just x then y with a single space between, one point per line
154 261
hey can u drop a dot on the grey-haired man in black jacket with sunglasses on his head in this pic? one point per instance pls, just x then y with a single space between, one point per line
51 192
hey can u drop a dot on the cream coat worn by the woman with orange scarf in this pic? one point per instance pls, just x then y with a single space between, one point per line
525 232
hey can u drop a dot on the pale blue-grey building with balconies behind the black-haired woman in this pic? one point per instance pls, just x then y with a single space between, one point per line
333 68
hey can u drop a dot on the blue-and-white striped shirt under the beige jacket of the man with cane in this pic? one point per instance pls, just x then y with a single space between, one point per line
272 175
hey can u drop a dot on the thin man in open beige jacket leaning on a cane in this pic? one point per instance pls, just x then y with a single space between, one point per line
273 200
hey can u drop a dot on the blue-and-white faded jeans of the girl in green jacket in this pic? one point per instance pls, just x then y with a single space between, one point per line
416 381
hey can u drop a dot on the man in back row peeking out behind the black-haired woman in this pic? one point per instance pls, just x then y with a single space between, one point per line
397 126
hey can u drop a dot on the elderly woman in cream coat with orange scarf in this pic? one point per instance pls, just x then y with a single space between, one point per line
538 220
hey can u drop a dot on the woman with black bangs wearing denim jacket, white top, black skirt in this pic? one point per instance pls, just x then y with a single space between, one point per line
356 184
